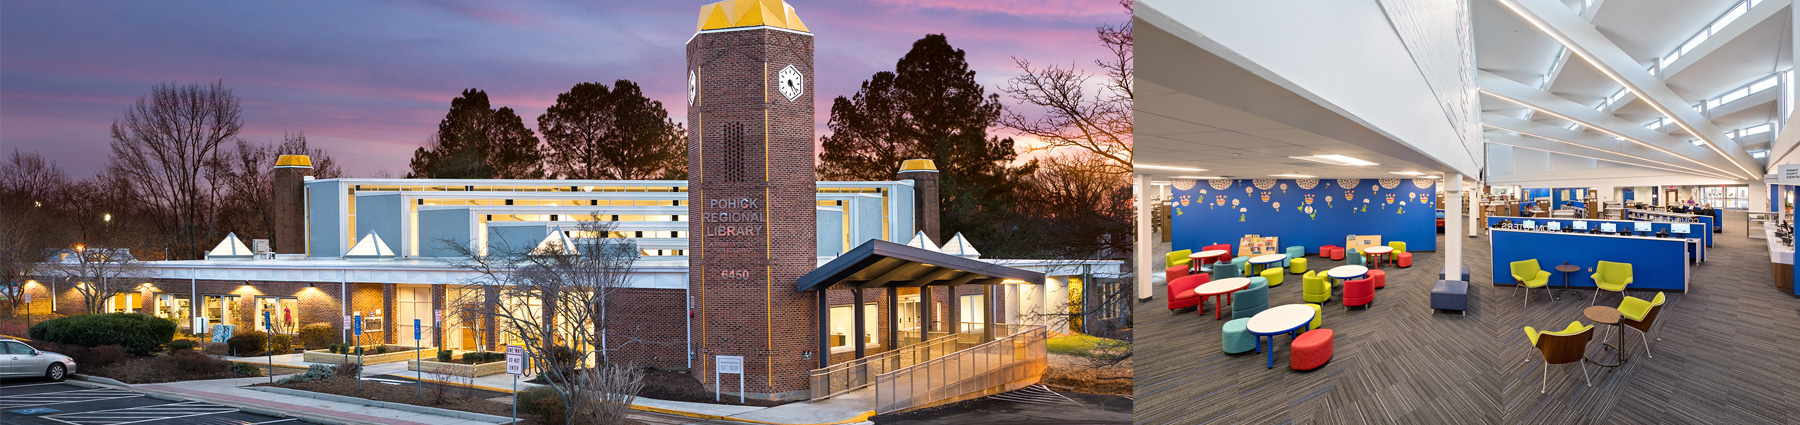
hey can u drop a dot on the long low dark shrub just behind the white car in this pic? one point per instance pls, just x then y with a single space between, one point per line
136 332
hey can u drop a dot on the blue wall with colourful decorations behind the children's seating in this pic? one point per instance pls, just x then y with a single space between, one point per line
1205 215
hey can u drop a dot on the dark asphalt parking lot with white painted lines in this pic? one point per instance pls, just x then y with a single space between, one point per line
71 404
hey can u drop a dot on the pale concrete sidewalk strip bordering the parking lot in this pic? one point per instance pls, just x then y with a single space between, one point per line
233 393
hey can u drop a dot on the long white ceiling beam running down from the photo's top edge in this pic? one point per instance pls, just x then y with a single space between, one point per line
1587 42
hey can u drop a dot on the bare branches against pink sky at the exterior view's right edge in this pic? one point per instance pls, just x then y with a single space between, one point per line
1070 116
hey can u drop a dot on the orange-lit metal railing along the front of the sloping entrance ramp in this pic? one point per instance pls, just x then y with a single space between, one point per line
984 368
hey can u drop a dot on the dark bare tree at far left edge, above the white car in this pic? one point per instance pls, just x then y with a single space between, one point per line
31 199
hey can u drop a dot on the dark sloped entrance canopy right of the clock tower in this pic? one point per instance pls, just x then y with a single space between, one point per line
892 266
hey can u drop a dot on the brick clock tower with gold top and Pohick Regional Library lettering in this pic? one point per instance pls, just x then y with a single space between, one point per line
751 197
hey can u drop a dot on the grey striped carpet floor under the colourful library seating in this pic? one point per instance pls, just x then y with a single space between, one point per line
1729 354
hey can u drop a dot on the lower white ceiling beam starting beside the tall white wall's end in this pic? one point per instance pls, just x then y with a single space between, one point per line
1601 122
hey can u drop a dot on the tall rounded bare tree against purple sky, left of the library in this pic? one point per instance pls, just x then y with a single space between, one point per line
170 145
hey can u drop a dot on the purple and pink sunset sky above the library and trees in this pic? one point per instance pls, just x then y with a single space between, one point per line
370 80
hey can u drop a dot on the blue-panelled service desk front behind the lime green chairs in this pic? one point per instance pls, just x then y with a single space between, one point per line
1657 264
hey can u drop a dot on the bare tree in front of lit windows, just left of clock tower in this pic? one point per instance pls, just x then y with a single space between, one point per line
553 298
